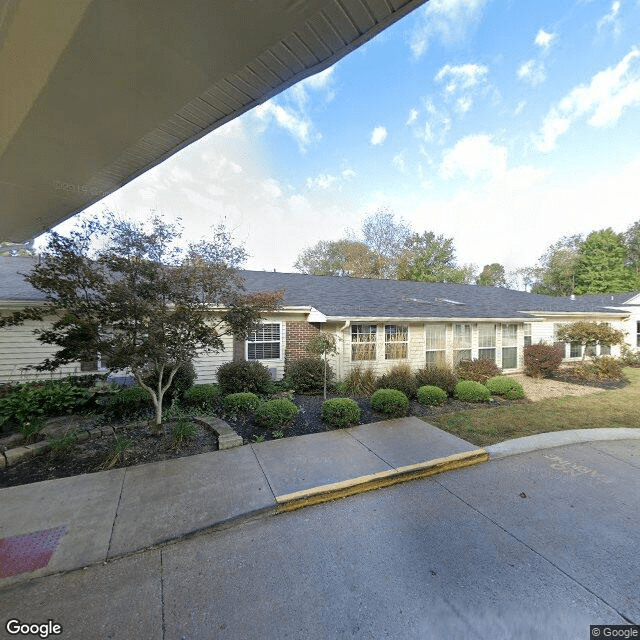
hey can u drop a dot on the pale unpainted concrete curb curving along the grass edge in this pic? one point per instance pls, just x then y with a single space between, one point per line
559 439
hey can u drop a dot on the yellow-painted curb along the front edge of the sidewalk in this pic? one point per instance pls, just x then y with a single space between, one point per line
336 490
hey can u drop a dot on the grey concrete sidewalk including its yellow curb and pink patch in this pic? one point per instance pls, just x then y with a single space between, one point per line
59 525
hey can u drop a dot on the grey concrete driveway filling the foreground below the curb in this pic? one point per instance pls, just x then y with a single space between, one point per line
539 545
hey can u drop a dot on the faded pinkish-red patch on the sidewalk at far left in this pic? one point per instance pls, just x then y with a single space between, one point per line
28 552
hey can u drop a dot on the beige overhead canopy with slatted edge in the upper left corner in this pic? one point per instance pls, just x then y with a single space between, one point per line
95 92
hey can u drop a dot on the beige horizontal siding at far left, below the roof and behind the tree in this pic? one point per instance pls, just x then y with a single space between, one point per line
19 348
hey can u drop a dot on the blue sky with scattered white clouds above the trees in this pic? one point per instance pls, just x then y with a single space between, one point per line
503 124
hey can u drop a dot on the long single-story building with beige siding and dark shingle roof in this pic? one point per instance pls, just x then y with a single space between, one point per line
377 323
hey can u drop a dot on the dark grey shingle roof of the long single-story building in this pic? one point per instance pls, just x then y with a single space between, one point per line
362 298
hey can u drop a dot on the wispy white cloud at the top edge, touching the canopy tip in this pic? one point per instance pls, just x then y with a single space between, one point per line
445 21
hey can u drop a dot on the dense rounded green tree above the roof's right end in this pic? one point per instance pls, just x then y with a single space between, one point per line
602 264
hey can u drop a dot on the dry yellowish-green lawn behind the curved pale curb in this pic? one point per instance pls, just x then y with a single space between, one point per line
615 408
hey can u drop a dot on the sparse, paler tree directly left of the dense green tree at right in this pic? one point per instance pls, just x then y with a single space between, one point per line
556 270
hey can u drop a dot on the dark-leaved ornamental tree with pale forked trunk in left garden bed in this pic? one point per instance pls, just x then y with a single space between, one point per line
132 295
